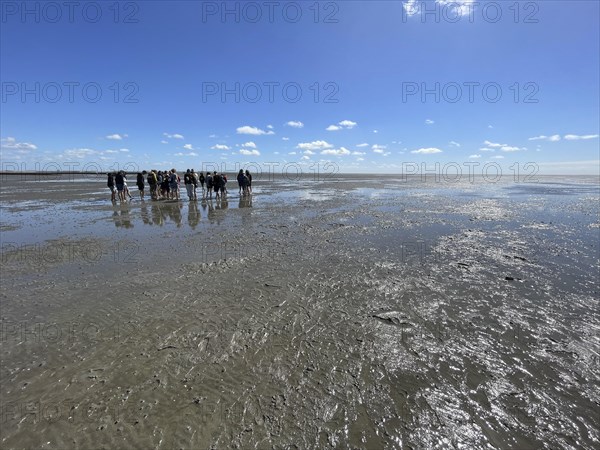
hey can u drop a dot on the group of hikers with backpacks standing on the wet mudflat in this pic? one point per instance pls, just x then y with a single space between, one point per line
166 184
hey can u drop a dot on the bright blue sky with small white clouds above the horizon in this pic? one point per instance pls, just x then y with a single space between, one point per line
369 86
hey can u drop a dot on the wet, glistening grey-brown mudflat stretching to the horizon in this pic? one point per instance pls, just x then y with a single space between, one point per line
339 313
